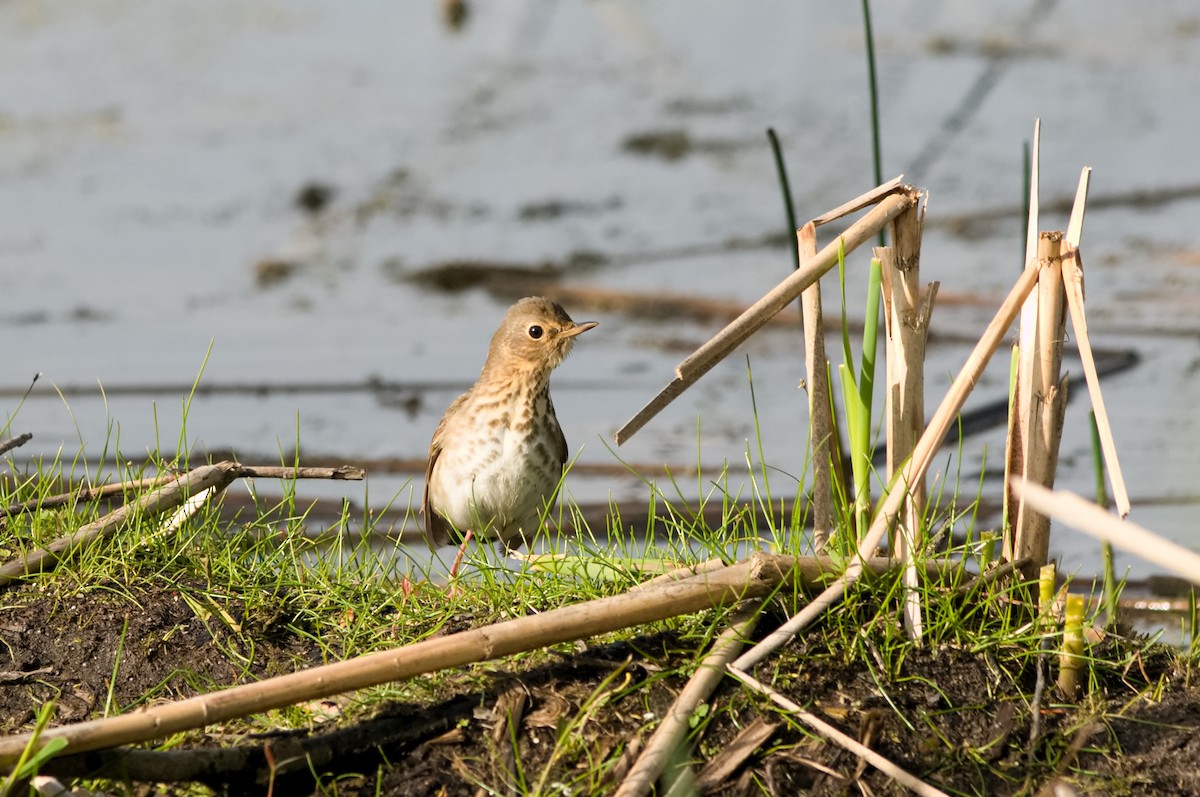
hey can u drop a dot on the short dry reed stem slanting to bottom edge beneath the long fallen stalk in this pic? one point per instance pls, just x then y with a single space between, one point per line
673 732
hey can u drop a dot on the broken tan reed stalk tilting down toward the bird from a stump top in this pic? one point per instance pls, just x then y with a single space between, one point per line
758 315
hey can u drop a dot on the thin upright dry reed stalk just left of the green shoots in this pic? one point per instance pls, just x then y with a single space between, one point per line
821 429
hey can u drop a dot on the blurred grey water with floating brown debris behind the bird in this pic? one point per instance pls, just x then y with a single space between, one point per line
326 208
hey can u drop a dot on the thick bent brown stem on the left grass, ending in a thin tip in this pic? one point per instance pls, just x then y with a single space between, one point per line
169 496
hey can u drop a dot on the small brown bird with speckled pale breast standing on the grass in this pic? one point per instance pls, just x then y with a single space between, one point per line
499 454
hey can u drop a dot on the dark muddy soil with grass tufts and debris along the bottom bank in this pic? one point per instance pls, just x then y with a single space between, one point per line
959 721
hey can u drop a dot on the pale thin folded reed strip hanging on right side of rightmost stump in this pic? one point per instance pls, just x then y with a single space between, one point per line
1073 281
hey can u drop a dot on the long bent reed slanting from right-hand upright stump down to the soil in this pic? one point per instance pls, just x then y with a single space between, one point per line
915 470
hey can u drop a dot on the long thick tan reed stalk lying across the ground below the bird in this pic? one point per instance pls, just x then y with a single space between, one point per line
757 578
